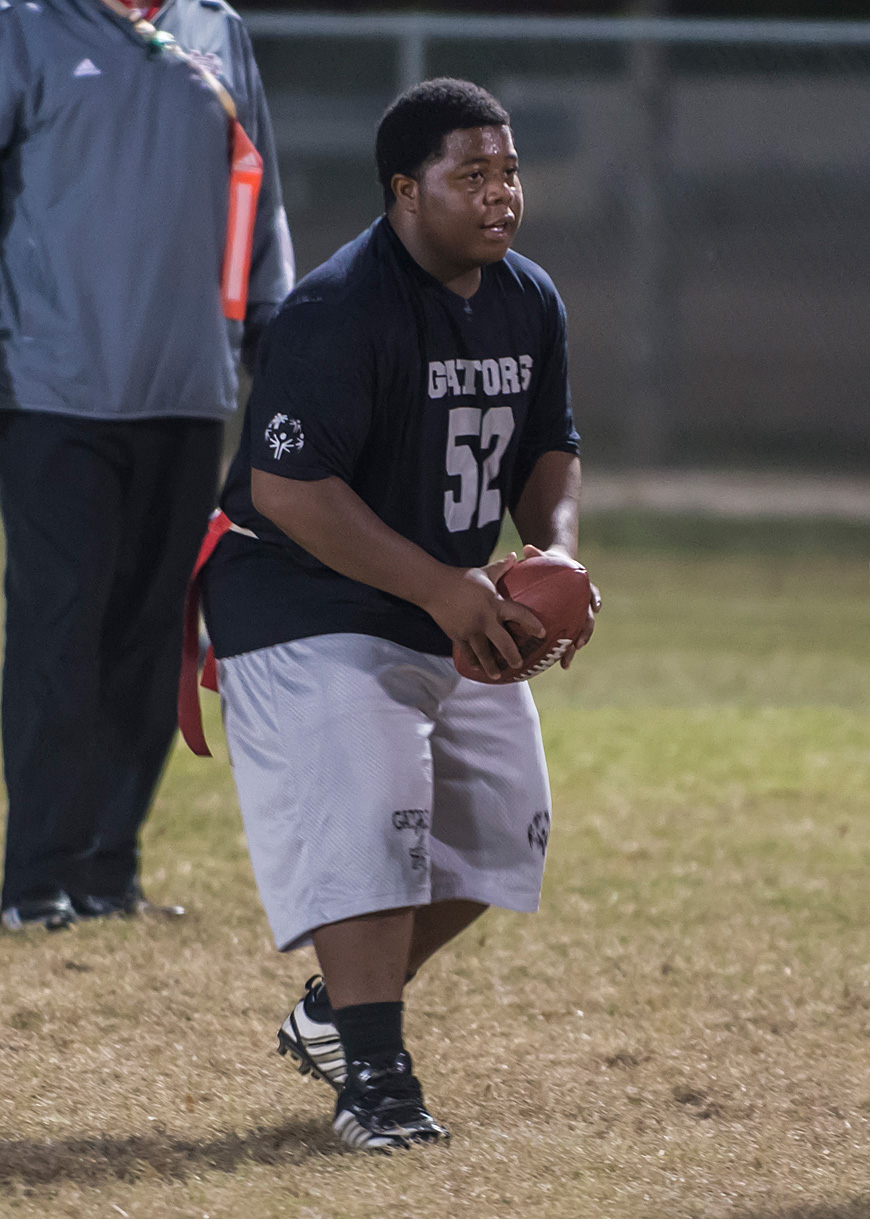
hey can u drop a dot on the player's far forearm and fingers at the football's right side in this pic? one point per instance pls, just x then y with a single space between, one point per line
546 517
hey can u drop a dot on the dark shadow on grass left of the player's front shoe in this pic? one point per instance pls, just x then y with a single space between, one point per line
102 1159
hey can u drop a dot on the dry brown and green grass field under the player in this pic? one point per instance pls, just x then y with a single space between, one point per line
683 1033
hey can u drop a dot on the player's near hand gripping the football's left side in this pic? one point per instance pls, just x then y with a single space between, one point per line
469 608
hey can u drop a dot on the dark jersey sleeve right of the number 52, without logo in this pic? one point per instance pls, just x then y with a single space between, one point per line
550 424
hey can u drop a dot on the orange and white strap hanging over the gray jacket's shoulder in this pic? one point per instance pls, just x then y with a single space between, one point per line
246 177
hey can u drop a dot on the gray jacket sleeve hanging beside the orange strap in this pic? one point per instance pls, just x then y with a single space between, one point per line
272 260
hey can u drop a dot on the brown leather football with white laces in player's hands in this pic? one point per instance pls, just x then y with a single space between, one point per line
559 595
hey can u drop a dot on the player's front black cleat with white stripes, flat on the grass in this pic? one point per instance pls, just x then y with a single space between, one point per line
382 1106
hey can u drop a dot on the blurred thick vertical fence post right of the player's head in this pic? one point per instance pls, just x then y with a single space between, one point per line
651 308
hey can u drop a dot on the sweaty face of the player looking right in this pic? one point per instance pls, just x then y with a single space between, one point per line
470 202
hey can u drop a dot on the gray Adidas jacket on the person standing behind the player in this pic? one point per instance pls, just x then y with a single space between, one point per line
114 199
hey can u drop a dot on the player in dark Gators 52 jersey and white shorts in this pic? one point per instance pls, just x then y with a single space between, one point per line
411 391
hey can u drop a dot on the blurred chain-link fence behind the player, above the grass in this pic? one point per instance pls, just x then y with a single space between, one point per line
700 191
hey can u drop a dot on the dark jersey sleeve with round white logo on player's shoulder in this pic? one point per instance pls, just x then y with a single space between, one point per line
313 399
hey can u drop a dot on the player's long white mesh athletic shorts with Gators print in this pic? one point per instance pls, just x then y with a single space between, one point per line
372 777
